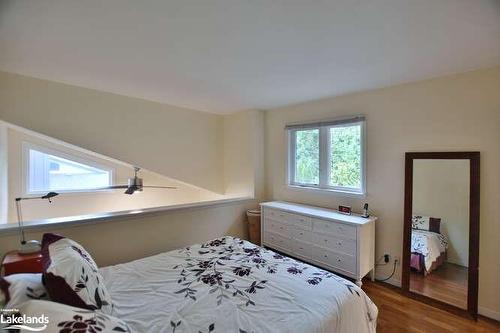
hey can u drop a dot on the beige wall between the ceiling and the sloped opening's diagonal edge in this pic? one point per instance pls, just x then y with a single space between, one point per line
183 144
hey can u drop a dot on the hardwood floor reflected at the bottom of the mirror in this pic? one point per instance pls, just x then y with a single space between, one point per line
448 283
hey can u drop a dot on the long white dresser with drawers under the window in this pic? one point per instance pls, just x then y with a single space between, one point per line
341 243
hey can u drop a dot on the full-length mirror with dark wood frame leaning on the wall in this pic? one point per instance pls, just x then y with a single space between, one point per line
441 224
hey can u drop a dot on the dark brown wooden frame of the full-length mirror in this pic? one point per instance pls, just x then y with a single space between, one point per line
473 272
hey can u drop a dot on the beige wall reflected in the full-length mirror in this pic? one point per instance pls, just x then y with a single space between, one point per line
441 189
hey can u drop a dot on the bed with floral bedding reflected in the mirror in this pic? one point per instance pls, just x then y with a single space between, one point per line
428 250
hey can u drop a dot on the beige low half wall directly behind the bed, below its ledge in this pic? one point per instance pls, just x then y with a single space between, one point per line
121 241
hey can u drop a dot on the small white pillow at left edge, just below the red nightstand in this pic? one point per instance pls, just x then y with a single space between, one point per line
19 288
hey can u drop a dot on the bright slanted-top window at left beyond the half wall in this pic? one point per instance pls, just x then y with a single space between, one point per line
51 171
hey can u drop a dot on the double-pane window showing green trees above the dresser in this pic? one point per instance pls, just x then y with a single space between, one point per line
328 155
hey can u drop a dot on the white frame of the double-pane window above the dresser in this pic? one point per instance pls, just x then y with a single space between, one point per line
324 155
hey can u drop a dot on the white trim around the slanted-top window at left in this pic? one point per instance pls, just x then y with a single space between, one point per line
27 146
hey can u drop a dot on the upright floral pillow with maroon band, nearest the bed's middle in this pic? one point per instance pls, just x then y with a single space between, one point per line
71 276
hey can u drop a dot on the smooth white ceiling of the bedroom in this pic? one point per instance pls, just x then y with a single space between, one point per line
228 55
